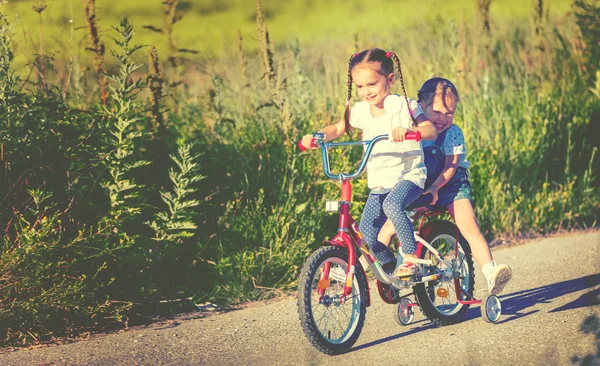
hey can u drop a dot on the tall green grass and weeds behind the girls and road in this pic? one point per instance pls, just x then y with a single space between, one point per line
138 178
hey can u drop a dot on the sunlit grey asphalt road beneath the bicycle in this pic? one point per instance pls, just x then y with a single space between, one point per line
555 288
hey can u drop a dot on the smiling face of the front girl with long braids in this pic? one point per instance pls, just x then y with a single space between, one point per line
372 86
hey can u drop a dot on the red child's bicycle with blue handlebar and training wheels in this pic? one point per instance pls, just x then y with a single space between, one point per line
333 291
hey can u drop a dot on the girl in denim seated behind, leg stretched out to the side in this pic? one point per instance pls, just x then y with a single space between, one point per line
451 190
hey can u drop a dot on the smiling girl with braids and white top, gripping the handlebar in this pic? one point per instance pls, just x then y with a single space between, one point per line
395 171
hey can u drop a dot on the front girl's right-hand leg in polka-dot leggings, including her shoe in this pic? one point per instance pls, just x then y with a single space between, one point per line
403 194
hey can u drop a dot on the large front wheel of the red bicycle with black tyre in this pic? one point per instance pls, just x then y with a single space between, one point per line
331 324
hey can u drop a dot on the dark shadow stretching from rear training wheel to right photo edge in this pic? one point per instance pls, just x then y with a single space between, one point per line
513 304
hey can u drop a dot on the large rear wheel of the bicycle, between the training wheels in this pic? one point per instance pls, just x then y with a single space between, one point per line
438 299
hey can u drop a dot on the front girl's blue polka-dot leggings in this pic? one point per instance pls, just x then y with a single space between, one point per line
381 206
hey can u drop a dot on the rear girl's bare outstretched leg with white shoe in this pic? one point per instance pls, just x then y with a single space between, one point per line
497 275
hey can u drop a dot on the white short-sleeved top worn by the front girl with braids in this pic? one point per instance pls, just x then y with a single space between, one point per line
389 162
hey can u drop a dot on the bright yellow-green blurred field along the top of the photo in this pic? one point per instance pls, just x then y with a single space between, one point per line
210 27
